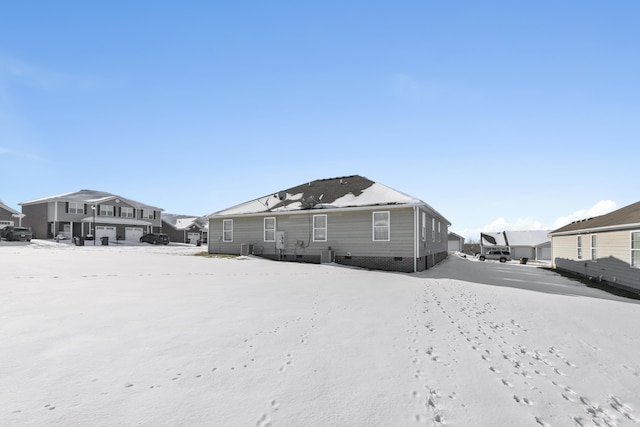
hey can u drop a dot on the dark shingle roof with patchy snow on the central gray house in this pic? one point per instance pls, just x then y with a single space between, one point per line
331 193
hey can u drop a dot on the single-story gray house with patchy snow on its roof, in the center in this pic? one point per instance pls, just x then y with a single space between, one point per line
349 220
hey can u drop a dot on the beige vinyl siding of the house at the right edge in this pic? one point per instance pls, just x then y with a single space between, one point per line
613 263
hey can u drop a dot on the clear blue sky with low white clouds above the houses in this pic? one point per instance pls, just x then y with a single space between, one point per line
499 114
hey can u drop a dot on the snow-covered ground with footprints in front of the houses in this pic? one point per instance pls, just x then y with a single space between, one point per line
142 335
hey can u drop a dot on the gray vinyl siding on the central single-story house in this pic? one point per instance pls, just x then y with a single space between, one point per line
349 235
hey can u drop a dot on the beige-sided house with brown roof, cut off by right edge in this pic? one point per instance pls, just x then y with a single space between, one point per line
604 248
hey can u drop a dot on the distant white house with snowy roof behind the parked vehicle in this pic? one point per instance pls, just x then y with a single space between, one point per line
532 244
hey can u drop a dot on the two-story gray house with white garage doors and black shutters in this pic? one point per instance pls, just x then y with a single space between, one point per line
90 214
